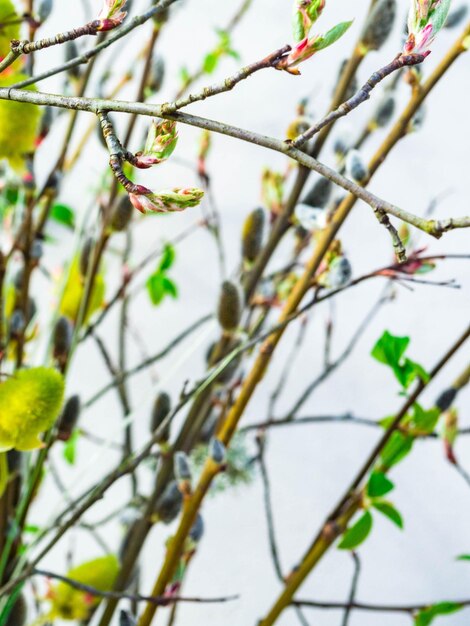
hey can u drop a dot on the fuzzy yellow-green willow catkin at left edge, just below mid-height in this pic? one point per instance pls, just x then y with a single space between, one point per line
30 402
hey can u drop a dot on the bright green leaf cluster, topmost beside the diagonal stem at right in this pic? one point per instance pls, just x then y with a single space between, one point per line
390 351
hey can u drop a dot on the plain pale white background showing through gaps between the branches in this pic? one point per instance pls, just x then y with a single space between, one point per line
309 466
